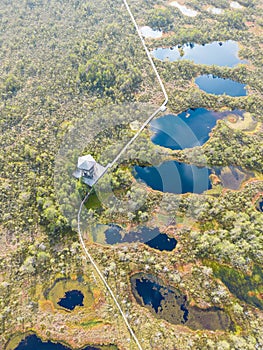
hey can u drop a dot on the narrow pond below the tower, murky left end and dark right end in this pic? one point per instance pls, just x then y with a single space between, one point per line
151 237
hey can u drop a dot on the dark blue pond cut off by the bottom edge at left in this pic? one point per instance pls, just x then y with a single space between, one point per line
32 342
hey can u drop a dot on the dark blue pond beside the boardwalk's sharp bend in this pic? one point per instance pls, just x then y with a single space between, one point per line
186 130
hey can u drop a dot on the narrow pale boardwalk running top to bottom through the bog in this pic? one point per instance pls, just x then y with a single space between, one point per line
110 165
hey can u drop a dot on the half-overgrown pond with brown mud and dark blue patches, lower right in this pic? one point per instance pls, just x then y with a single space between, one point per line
172 305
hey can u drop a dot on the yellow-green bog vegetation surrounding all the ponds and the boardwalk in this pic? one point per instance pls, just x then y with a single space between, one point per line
62 63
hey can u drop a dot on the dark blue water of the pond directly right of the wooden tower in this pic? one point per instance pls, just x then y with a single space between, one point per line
175 177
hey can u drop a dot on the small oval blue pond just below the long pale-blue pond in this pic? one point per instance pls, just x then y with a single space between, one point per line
220 86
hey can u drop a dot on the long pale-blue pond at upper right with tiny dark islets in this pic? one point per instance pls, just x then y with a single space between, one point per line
218 53
